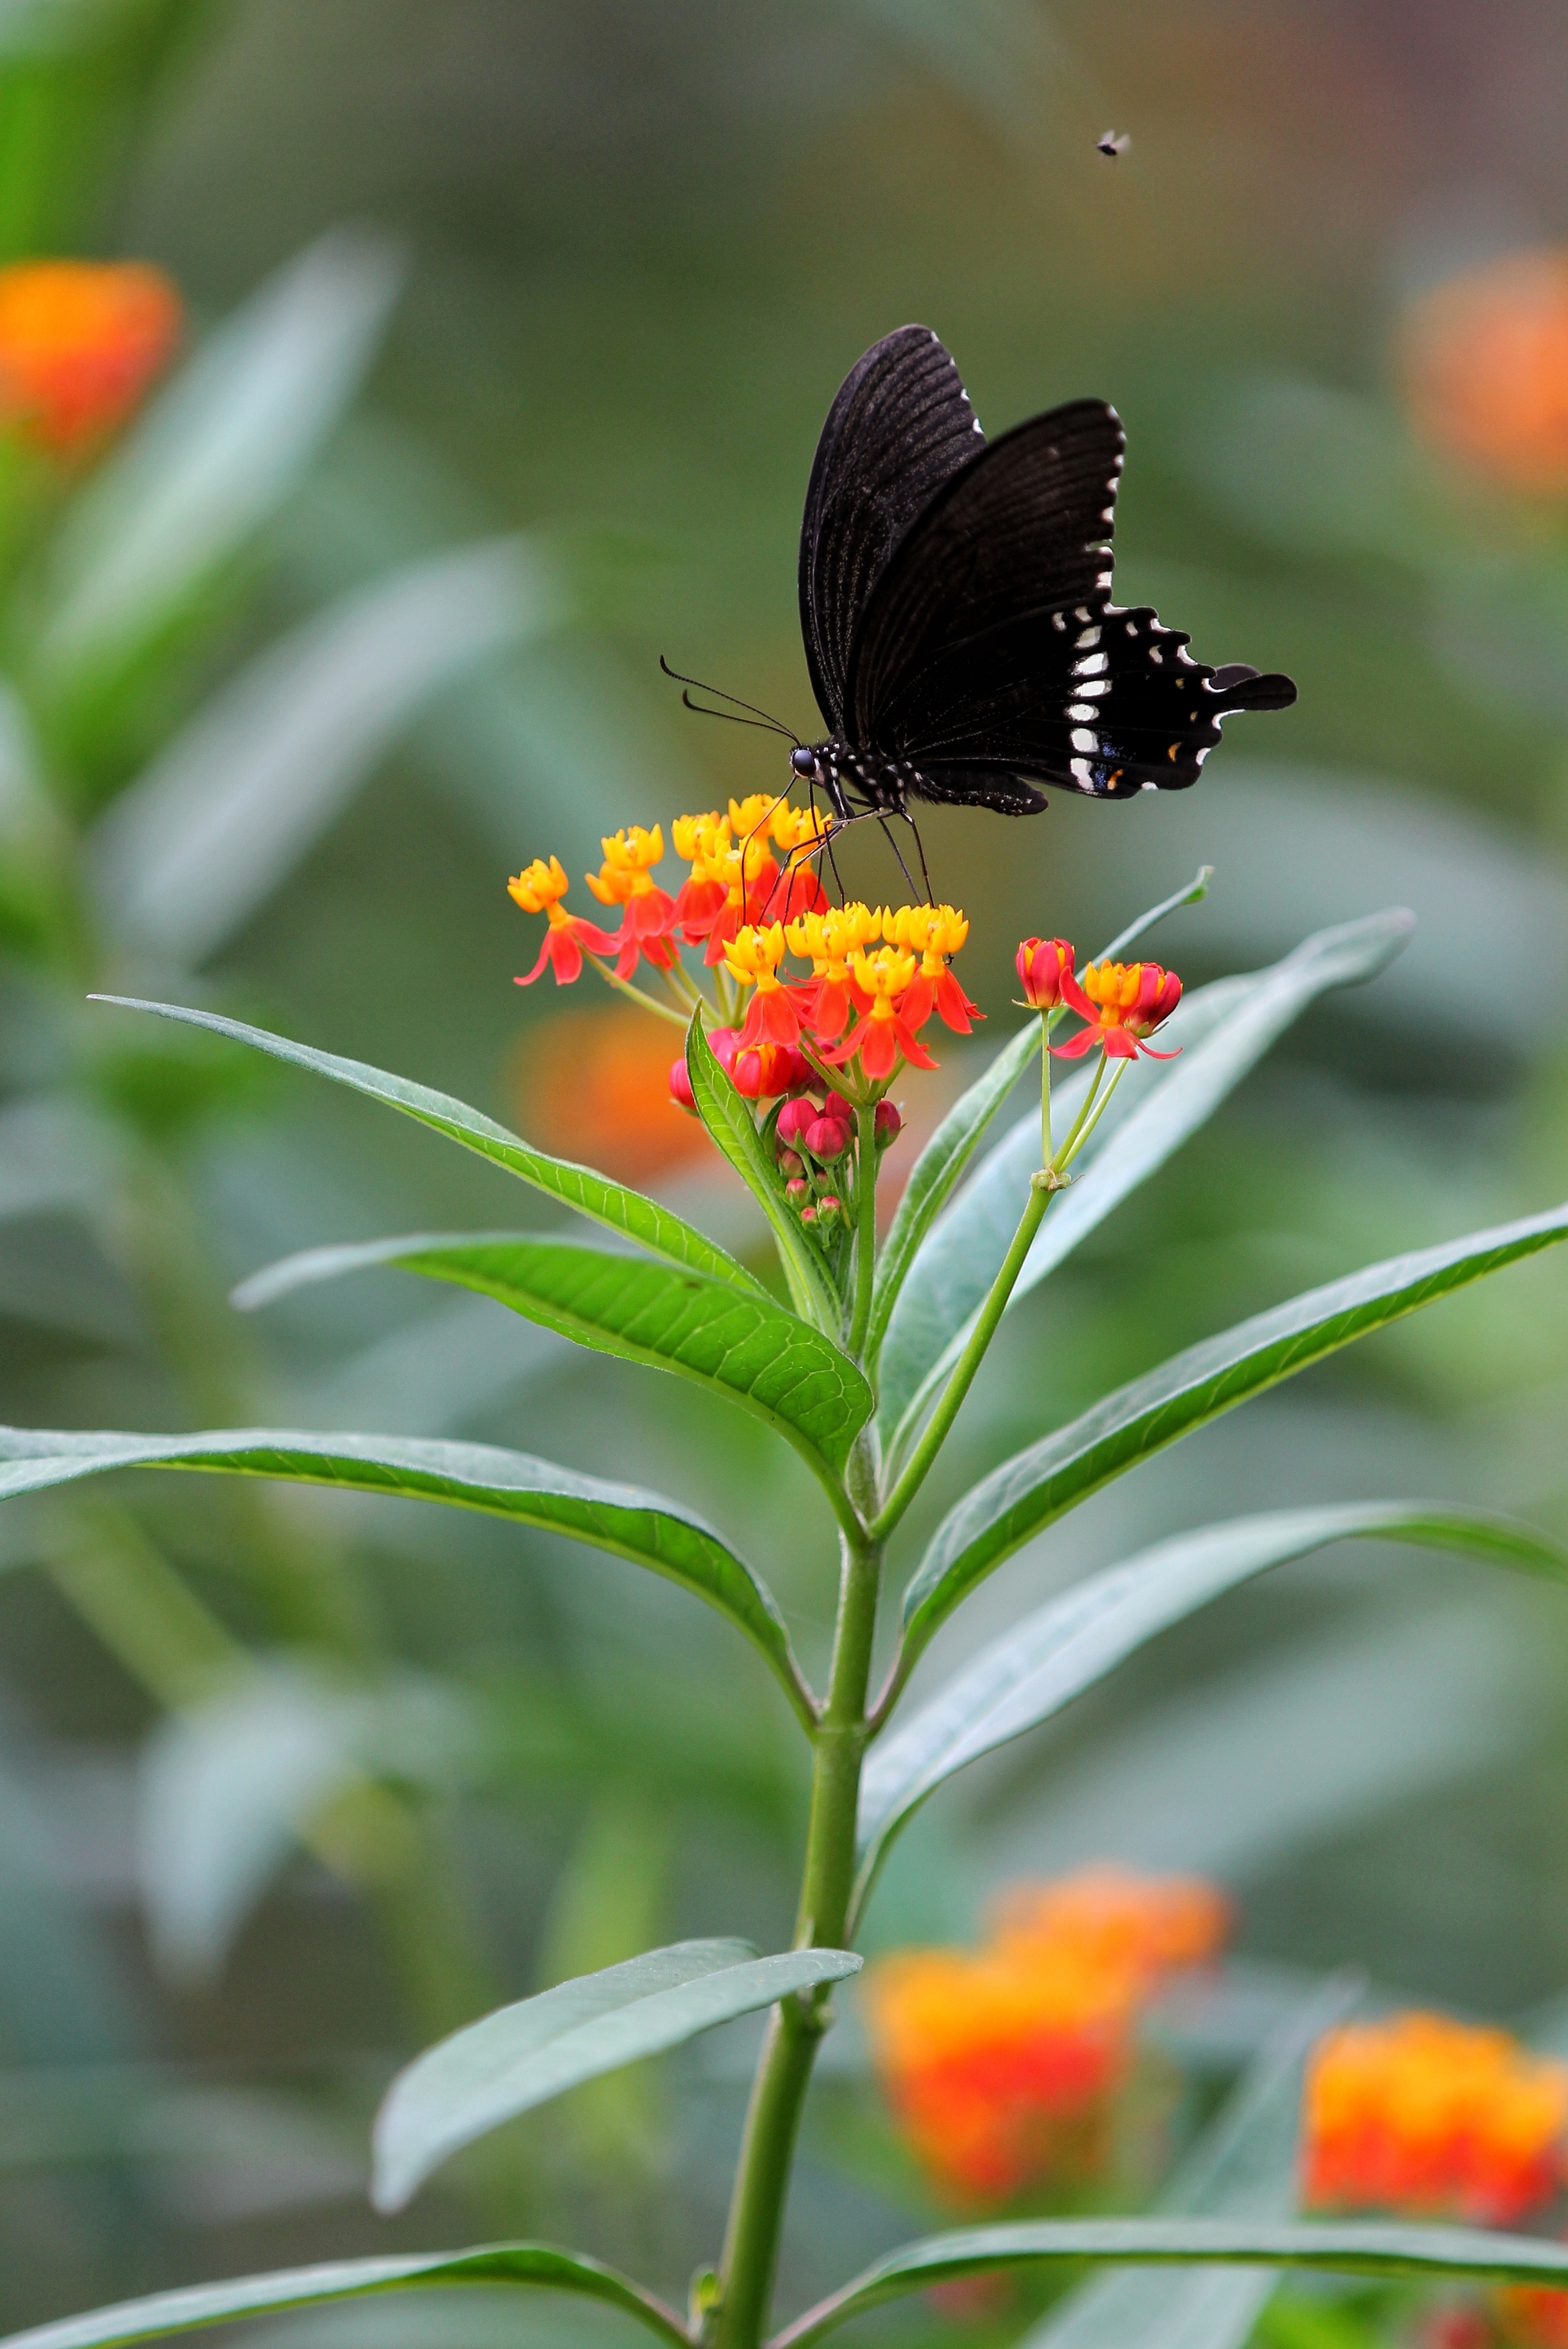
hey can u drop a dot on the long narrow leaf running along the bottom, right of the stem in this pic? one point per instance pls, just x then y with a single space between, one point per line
1346 2249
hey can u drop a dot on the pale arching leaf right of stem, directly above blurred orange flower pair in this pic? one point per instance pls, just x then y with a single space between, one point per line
1076 1638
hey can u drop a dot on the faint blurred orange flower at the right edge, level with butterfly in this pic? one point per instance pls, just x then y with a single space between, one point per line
1485 361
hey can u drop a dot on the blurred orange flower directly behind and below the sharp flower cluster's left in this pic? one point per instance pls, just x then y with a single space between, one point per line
595 1084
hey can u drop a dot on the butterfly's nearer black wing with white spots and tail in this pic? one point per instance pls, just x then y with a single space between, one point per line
992 645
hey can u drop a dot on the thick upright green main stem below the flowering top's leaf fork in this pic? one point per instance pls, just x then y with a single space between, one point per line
797 2026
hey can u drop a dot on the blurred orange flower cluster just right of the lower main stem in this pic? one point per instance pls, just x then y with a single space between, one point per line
1001 2066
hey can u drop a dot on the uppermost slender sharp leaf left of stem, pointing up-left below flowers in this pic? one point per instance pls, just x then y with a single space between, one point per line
576 1187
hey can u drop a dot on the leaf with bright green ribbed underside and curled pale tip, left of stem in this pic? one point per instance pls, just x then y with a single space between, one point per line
731 1340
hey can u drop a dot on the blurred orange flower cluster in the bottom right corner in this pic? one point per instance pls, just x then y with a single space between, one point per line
1435 2120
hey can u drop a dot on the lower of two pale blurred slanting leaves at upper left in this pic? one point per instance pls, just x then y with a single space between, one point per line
231 807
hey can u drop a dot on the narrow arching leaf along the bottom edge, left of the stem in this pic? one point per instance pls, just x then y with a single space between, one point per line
353 2280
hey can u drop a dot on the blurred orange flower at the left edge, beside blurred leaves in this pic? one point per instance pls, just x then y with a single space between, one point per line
81 342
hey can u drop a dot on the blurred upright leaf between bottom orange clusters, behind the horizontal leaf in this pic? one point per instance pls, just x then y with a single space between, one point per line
1243 2169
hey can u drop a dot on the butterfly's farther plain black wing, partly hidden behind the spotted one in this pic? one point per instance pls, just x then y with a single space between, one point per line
898 431
